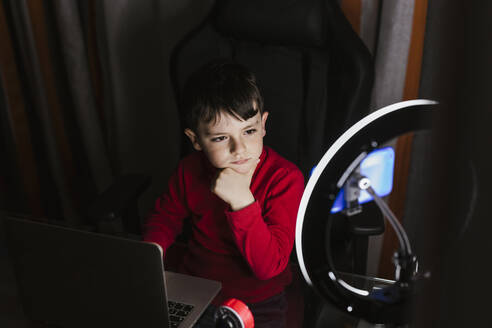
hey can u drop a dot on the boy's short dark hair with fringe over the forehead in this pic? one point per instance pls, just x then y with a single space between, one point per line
220 86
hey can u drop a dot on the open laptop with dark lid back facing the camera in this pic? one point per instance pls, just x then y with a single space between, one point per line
74 278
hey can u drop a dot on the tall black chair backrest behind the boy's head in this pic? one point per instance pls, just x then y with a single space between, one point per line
314 71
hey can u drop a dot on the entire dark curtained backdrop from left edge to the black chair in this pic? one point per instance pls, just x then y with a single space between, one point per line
85 97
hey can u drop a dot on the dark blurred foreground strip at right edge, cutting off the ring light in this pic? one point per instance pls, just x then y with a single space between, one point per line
451 205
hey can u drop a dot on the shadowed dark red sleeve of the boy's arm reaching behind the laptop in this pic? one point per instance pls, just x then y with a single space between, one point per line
165 221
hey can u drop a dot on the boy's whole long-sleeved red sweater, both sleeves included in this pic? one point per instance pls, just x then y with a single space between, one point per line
247 250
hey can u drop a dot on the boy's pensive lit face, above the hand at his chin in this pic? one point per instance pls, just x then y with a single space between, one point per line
229 142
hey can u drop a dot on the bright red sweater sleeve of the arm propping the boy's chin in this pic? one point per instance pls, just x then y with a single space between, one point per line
266 239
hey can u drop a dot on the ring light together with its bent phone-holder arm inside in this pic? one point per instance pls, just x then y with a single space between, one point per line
337 169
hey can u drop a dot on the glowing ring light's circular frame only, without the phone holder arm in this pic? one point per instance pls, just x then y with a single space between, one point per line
326 180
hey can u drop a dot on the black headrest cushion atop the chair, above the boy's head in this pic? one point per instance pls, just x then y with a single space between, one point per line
292 22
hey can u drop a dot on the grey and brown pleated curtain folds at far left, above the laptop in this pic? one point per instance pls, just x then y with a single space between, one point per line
55 139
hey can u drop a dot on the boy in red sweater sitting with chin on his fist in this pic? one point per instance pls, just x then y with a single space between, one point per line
242 197
